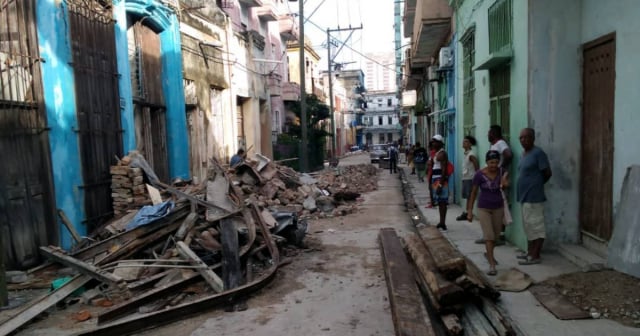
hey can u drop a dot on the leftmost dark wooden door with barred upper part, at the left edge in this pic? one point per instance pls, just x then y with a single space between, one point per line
27 205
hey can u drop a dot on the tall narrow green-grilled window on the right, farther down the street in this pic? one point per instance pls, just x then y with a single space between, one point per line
468 80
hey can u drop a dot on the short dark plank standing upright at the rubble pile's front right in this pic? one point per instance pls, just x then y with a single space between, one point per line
231 269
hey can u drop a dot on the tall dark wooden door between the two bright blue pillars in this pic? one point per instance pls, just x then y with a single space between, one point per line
97 104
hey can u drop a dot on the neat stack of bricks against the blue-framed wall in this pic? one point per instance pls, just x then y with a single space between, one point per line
127 189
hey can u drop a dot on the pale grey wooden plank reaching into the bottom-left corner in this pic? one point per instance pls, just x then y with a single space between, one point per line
46 302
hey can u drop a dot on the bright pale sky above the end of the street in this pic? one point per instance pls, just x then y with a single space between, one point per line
375 17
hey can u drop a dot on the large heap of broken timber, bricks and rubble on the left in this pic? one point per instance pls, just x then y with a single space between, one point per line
177 250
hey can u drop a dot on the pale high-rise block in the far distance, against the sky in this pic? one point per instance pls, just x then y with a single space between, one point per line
379 71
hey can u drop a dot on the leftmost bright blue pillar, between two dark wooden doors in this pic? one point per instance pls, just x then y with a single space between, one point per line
60 106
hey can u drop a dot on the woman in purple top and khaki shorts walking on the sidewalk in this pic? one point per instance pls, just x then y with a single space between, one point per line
490 180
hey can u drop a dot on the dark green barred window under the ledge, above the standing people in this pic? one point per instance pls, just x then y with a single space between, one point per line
499 97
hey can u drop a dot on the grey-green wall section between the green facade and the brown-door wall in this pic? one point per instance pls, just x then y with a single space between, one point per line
554 78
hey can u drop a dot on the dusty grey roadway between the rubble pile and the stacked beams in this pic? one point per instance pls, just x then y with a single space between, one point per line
336 287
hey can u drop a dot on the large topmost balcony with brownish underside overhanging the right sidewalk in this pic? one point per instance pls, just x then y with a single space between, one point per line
431 26
